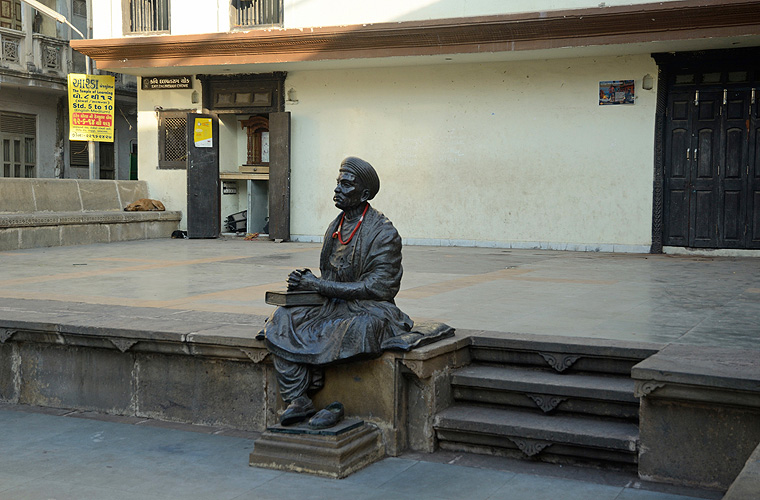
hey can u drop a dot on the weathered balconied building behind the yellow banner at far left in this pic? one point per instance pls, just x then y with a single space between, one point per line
35 59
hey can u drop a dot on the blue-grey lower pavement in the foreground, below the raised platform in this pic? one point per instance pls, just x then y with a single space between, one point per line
44 456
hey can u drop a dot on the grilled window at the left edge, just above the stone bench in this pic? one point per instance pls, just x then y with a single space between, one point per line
18 136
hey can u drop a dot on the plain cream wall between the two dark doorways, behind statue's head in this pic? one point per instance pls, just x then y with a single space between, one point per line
504 152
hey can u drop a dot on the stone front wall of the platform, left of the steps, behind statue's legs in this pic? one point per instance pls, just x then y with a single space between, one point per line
191 369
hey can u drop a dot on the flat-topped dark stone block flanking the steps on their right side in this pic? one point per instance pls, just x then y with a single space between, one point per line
700 414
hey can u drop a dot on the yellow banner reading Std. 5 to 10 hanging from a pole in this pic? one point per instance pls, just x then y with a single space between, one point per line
91 107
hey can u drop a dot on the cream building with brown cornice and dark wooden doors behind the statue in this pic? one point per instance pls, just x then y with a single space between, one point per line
485 120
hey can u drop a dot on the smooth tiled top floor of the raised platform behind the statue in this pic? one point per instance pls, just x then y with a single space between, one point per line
220 284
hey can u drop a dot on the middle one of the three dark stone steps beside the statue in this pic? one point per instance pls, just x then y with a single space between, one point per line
604 395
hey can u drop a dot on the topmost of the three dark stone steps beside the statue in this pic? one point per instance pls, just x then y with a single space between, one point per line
562 354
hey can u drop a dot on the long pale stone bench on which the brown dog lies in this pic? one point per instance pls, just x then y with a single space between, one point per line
56 212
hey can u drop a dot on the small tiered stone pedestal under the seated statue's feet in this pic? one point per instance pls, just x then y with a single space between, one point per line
335 452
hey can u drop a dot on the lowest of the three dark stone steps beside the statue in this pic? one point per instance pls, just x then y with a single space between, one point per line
521 433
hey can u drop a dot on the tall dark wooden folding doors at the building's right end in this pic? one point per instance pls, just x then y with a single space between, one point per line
708 151
